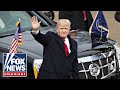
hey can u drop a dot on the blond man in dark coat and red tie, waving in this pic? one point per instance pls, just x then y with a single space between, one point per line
60 51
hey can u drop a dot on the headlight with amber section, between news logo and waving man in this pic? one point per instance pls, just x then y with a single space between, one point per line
36 66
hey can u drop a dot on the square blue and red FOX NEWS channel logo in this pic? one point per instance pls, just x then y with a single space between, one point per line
14 65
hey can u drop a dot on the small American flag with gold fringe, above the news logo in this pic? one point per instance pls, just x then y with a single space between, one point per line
17 40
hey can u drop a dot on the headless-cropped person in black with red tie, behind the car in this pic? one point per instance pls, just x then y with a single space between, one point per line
79 19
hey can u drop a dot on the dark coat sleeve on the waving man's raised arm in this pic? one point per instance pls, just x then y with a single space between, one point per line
43 39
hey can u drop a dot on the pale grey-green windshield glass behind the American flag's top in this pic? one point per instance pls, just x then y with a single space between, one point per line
8 20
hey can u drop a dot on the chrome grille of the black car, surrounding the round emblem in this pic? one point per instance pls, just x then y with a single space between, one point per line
102 56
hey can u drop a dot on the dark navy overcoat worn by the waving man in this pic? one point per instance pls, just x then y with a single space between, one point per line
55 63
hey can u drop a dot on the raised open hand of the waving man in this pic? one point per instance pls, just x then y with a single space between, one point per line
35 23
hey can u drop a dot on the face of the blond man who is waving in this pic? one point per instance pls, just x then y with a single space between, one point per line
63 30
